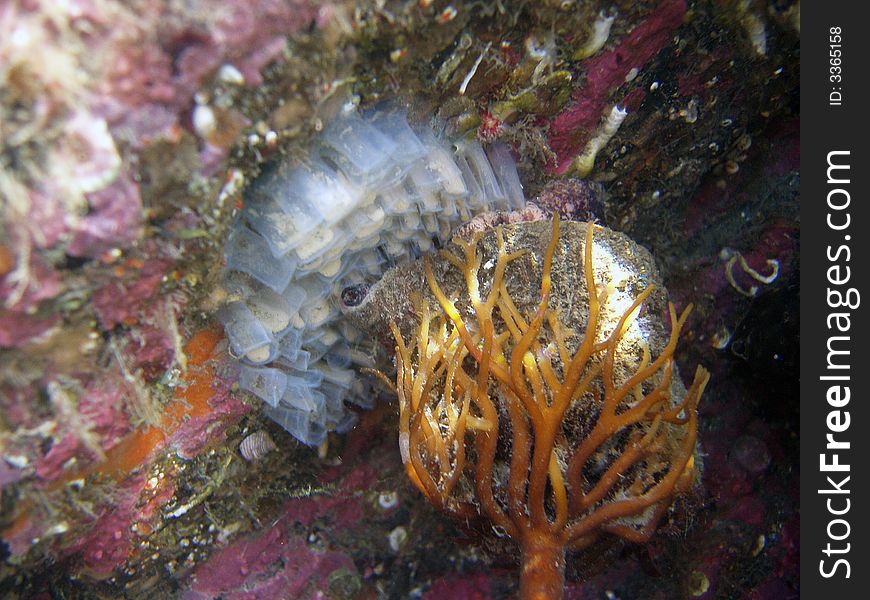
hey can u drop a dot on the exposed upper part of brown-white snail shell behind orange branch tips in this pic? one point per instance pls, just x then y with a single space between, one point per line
620 265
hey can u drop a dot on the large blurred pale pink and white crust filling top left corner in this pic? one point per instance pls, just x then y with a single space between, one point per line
91 116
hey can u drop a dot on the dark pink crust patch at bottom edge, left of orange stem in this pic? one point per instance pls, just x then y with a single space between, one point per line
283 560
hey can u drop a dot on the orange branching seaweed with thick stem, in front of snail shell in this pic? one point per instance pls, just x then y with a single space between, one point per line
490 389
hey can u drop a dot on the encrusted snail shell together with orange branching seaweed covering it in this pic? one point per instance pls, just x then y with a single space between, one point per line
543 400
